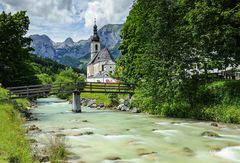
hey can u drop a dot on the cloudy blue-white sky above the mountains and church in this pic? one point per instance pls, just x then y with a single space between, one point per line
60 19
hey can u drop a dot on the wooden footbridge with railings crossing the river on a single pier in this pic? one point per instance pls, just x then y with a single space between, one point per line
37 91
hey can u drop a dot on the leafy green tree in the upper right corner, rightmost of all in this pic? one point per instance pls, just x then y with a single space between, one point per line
214 27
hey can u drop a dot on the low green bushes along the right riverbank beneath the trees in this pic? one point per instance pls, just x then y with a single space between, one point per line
216 101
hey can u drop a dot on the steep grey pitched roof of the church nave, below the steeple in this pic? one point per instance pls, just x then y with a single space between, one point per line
103 56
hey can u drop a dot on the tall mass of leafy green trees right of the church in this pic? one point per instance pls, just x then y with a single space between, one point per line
163 39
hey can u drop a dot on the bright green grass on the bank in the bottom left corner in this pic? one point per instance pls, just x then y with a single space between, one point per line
13 145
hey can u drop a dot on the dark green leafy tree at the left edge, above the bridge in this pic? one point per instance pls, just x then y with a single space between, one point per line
15 67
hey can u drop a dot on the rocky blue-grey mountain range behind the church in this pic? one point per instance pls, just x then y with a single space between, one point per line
73 53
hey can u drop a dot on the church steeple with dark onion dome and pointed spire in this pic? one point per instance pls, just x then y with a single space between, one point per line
95 44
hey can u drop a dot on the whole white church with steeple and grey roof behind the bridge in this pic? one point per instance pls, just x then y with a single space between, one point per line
101 64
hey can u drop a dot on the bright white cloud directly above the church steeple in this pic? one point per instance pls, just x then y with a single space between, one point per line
107 11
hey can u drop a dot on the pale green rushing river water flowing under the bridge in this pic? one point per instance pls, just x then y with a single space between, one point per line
139 138
